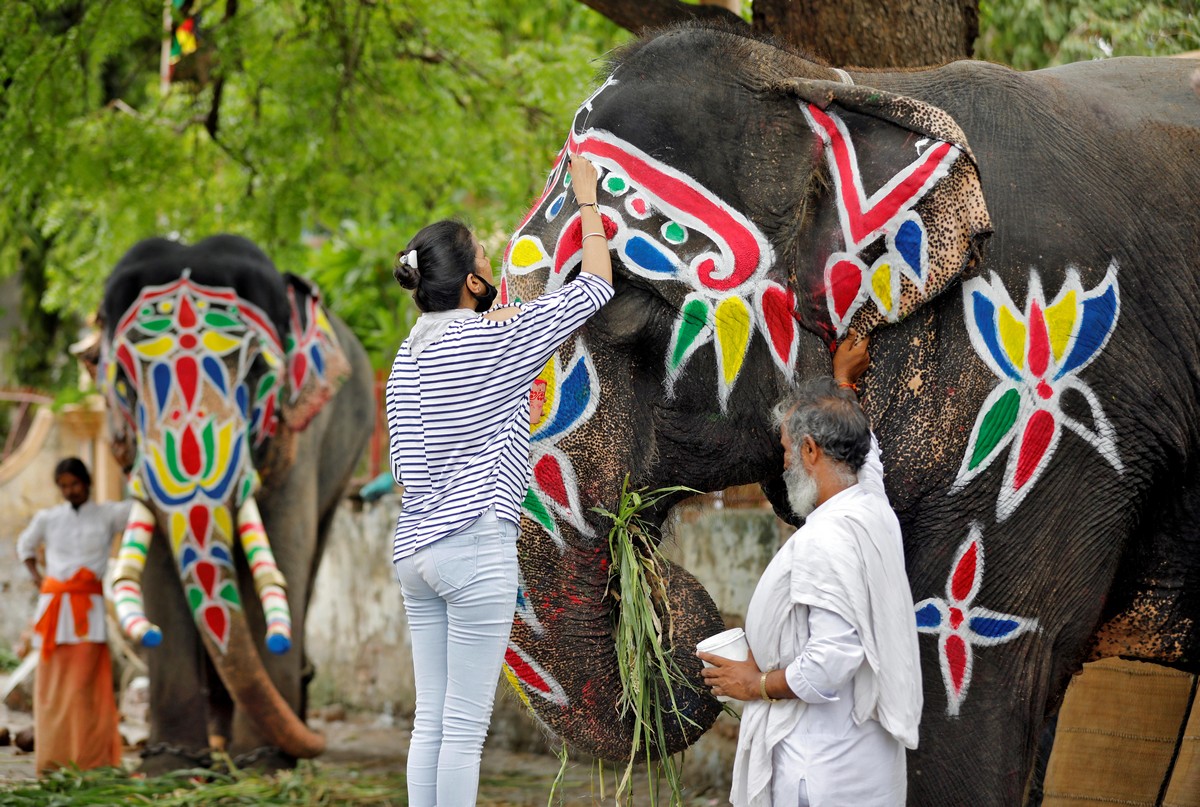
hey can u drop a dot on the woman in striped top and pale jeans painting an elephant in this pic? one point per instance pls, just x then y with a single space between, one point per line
459 416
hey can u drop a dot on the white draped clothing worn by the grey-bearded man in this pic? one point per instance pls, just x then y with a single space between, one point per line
835 611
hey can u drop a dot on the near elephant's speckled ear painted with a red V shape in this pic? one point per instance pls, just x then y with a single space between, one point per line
907 216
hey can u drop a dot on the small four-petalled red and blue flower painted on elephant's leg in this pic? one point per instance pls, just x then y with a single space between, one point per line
961 626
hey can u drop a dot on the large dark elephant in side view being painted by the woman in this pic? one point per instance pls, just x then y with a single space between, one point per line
1022 246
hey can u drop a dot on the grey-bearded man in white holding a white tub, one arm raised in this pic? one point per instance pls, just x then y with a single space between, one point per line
833 682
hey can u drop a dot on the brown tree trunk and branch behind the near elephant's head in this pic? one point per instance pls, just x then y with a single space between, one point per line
845 33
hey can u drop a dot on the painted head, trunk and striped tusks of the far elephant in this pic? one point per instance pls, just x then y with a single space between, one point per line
212 361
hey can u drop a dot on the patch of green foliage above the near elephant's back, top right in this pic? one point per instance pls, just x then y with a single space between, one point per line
1031 34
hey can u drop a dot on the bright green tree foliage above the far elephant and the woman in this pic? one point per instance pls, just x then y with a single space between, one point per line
328 131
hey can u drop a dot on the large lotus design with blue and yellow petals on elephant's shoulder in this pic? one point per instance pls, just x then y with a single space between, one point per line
1037 354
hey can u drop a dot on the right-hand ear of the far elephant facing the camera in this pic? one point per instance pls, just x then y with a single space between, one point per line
316 363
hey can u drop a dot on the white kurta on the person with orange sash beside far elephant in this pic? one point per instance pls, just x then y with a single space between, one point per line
75 540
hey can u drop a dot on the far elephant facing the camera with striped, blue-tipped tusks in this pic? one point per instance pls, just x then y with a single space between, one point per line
239 408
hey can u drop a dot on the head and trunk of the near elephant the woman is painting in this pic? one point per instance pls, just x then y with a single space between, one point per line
758 206
